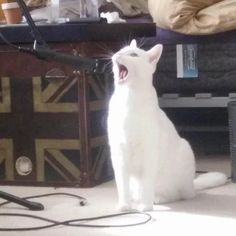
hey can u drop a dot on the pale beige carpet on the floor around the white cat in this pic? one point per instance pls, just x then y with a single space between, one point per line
212 212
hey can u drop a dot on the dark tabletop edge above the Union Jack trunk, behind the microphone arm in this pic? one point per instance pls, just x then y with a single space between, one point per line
56 33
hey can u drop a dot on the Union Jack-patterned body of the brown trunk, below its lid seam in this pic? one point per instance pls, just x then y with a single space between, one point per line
43 138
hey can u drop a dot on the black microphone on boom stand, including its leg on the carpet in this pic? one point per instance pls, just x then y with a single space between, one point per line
42 51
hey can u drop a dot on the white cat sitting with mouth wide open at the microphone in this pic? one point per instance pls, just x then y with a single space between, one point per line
152 163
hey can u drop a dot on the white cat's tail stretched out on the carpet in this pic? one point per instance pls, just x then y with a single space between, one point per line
209 180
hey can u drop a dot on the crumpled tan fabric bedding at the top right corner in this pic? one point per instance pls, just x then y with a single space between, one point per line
194 16
